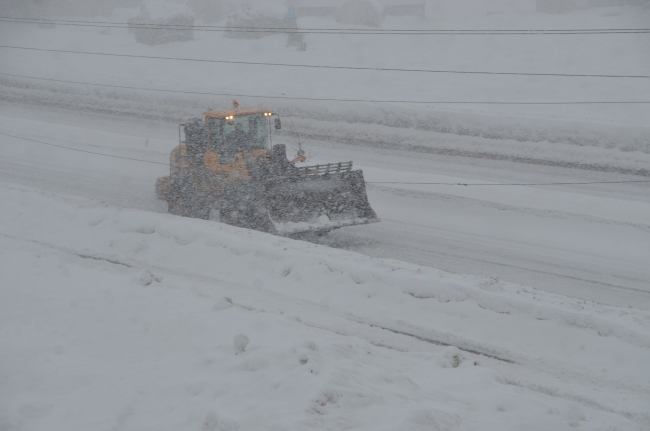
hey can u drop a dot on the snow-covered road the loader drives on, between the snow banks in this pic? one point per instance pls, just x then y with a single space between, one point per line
586 241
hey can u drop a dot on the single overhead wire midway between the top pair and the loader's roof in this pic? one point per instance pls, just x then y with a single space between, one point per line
310 66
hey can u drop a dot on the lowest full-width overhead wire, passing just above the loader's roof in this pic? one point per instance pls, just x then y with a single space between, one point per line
327 99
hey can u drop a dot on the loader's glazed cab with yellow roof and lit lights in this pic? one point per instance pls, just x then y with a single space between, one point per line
234 131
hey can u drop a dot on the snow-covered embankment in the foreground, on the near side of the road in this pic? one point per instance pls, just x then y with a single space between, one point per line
130 317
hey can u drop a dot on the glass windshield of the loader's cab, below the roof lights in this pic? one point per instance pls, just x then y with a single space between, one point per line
243 133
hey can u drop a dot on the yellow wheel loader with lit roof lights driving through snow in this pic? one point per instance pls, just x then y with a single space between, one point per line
227 169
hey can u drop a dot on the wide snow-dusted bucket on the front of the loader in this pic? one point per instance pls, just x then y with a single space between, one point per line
318 199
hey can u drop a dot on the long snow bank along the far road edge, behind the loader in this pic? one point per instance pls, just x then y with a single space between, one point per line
585 145
